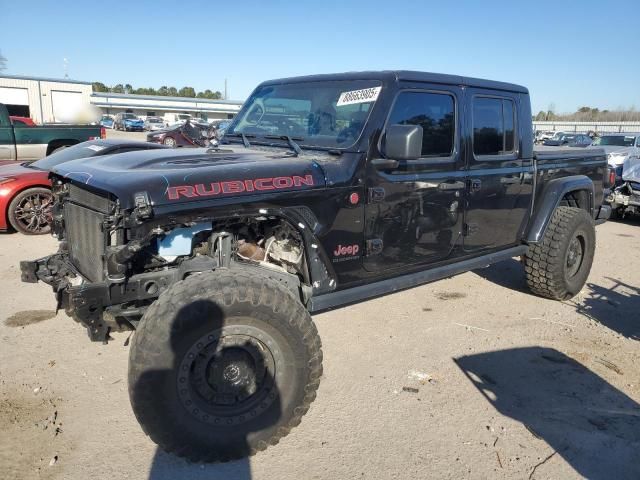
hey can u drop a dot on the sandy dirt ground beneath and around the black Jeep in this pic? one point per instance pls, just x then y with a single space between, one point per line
470 377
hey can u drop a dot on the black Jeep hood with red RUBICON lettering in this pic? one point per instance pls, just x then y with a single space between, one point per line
186 175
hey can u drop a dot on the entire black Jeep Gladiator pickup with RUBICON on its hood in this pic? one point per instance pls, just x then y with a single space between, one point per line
324 191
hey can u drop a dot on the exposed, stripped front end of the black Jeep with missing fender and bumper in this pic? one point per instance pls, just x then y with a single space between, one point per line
113 263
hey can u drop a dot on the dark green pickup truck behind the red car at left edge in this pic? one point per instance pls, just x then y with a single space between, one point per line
22 142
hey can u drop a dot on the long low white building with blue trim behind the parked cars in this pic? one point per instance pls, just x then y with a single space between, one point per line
48 100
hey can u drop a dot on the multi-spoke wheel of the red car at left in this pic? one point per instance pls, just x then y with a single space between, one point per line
30 211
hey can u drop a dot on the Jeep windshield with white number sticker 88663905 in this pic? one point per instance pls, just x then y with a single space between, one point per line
314 114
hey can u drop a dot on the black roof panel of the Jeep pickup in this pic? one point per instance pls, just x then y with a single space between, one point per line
406 75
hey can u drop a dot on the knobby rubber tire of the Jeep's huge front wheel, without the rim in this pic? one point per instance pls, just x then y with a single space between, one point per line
194 309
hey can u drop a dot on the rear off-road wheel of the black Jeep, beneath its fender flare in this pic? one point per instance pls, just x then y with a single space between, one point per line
546 263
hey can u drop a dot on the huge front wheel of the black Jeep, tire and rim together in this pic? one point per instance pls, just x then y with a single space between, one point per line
223 365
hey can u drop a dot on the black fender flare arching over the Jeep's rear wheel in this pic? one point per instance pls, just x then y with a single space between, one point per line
551 196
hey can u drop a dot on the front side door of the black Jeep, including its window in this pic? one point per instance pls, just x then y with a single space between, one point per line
414 212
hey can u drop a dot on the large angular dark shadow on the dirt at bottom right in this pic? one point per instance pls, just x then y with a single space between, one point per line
592 425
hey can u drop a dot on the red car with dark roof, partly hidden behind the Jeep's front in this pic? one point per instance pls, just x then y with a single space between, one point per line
25 190
